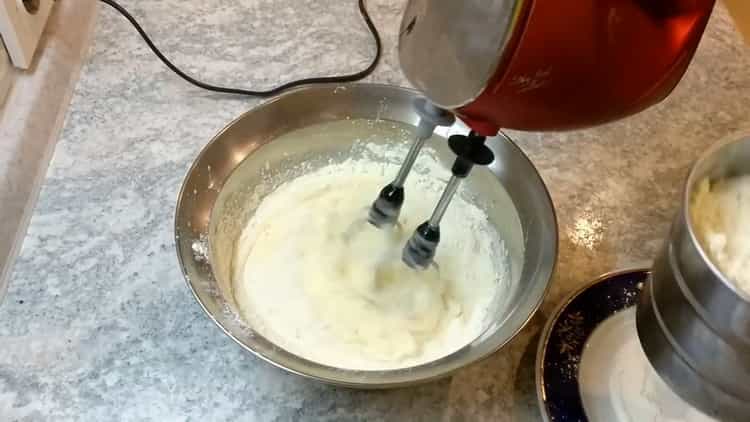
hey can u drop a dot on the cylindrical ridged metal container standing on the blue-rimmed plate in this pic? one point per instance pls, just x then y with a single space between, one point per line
693 324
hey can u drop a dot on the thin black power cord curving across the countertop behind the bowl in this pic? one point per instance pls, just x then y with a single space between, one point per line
265 93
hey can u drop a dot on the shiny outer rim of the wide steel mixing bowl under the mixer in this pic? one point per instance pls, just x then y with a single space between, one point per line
362 382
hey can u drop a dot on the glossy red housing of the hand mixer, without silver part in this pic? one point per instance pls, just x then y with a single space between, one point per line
579 63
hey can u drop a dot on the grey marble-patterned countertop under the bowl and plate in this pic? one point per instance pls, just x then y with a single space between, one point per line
98 324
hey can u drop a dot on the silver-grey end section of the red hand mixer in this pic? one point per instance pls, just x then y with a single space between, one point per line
450 49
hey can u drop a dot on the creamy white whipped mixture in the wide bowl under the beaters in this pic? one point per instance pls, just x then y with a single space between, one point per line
311 275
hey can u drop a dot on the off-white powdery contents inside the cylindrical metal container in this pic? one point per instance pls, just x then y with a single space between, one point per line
720 213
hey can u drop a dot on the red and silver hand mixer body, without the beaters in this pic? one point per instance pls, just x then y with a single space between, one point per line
548 64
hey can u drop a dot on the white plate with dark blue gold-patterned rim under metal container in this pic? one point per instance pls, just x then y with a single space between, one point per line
590 366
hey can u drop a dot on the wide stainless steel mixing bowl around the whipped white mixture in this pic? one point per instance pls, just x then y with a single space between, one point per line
232 172
